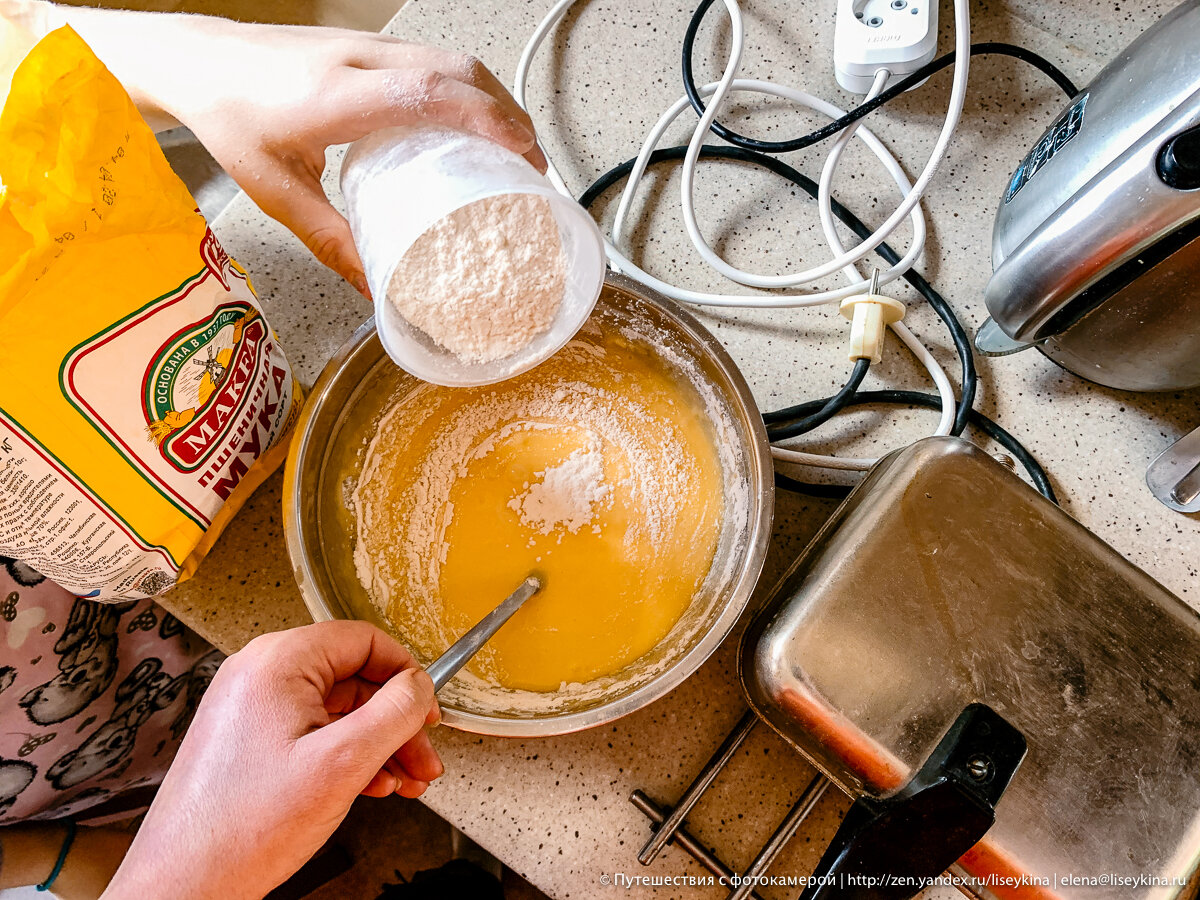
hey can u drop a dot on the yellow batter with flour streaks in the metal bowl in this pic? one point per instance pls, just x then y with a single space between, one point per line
597 471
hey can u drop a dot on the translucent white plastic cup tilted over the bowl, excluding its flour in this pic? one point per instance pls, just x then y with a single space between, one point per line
400 183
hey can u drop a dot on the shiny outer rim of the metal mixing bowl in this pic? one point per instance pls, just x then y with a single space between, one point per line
763 493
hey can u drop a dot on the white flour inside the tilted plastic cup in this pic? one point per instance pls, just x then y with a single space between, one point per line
485 280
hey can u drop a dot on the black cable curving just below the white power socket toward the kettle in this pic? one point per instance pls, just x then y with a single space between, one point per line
835 128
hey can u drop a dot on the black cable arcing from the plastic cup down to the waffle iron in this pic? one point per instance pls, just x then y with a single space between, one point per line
958 334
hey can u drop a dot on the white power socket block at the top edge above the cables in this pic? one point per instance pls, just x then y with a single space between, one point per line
869 35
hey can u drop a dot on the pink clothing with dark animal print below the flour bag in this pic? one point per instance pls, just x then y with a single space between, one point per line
94 698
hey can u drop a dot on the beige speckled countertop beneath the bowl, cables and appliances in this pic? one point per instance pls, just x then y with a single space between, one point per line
557 811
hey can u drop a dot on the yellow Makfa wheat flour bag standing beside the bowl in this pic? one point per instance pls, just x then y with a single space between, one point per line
143 395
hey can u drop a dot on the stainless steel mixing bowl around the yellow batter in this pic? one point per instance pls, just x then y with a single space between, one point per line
320 531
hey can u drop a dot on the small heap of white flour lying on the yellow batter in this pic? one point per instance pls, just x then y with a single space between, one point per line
567 495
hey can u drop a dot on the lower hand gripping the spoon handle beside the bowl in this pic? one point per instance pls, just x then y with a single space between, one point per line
291 731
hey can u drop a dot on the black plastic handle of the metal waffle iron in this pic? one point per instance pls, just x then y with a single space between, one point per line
887 850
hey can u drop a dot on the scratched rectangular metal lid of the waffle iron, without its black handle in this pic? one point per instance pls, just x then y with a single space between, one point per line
945 581
